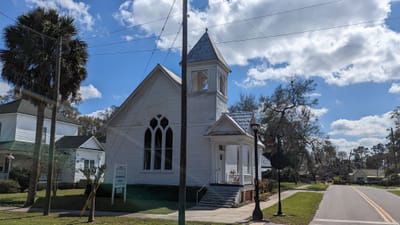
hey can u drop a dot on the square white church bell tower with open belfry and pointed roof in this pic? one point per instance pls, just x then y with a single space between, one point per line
207 81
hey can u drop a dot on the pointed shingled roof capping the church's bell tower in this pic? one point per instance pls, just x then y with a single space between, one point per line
205 50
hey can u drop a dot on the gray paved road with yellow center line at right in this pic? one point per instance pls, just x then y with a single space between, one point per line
356 205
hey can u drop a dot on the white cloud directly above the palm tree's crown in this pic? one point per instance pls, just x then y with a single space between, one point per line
78 10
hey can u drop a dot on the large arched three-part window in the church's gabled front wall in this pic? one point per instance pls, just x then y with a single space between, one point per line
158 145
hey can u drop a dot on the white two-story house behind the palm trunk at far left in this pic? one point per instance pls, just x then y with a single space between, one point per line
17 134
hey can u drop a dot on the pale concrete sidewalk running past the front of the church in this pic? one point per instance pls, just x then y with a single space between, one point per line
220 215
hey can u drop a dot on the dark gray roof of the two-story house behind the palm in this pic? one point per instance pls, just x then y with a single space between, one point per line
25 107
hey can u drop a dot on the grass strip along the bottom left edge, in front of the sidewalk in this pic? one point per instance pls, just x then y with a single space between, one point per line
20 218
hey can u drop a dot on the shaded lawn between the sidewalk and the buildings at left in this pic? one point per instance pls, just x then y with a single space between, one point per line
73 199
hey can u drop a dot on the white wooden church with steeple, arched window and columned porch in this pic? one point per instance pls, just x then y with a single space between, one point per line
144 133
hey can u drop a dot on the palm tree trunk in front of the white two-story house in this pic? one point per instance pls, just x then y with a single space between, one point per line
35 171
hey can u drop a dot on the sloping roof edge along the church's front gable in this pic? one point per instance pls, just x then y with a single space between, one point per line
175 79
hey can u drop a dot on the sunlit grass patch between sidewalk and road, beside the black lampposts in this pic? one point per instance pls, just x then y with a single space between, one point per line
298 208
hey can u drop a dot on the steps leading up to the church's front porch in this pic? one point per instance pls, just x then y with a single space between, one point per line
220 196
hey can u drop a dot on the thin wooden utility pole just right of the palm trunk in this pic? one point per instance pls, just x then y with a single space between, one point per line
50 169
